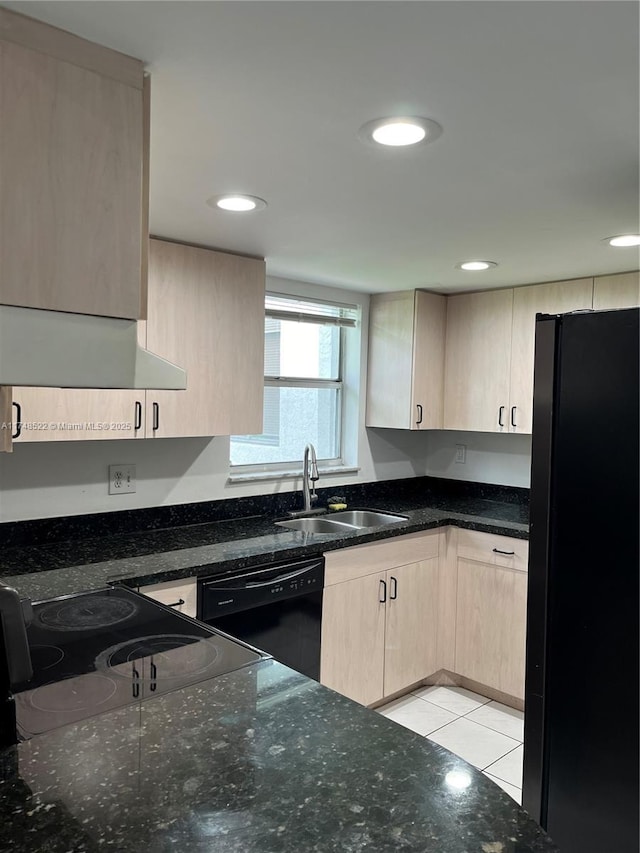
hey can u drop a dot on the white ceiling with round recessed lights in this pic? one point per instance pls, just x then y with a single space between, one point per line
537 163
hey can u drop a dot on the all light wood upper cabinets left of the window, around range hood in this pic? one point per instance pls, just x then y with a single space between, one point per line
74 237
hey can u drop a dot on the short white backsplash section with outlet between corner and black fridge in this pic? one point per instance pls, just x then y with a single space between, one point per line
503 458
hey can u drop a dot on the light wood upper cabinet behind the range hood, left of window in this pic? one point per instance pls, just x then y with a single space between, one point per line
200 304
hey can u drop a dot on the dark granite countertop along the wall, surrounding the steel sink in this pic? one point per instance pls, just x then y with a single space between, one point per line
152 556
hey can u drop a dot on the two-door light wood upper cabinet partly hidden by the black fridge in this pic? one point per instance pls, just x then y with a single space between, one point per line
490 352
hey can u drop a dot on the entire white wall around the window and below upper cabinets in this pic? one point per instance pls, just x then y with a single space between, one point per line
70 478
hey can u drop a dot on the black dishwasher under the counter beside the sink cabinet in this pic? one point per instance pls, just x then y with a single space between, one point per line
275 607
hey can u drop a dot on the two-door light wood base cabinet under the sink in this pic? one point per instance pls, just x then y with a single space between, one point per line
379 629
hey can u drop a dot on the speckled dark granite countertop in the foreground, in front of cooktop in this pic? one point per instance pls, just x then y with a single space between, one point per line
261 760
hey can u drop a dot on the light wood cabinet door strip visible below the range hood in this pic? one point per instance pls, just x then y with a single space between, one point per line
78 414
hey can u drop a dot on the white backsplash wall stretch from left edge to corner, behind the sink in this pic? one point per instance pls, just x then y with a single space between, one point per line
47 480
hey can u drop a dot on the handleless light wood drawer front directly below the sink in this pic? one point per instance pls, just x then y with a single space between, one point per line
361 560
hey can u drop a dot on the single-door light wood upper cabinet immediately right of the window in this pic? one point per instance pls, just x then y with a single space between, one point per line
406 360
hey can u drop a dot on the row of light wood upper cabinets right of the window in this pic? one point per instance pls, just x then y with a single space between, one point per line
465 362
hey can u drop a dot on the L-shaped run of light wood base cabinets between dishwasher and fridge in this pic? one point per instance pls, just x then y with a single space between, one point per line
385 629
